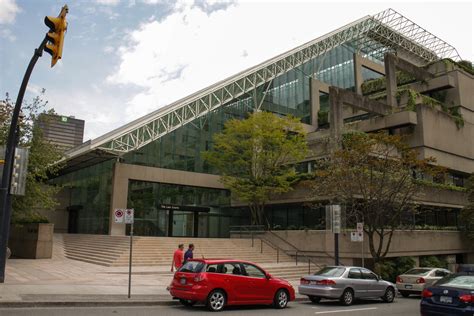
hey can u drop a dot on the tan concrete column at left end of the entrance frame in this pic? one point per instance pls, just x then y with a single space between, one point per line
118 199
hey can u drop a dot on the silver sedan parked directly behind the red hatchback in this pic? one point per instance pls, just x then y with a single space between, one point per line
346 284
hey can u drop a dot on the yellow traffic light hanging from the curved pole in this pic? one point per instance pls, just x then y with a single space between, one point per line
57 28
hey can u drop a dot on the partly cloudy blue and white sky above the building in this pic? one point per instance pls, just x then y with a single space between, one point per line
125 58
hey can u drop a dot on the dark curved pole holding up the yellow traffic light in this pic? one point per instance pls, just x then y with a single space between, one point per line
5 197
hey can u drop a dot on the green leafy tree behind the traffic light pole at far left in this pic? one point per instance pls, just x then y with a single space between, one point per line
42 154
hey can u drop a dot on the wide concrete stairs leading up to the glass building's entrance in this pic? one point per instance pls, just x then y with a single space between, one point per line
157 251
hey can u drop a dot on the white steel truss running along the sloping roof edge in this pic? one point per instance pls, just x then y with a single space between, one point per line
387 30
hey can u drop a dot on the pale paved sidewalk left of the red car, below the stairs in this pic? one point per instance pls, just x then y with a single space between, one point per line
62 281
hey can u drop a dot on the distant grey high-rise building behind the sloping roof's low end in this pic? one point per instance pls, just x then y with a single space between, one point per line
64 131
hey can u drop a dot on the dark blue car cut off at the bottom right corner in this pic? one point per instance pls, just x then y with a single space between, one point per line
452 295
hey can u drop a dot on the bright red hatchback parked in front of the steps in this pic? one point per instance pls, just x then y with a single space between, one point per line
218 283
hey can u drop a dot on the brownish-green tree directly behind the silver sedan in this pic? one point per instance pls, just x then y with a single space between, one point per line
372 176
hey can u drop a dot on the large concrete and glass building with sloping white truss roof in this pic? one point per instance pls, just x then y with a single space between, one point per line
381 72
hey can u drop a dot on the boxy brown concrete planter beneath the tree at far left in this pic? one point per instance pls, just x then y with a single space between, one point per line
31 241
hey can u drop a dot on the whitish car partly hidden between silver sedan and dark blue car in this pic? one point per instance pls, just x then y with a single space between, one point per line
415 280
